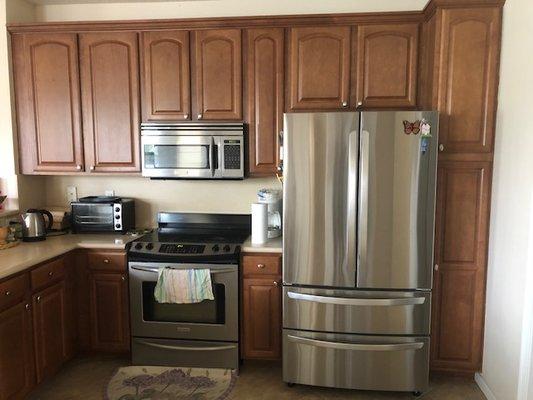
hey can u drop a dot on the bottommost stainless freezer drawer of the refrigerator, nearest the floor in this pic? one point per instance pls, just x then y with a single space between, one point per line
356 362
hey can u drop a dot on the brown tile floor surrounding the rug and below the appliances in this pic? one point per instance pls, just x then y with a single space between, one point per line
85 378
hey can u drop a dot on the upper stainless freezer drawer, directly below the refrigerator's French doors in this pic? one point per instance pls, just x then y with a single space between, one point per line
357 311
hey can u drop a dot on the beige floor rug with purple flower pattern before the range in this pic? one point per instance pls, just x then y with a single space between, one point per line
170 383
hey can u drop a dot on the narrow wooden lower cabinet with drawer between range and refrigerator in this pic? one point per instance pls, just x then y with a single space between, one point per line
261 311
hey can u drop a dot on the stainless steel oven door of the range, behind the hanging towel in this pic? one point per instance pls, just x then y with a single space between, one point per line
208 320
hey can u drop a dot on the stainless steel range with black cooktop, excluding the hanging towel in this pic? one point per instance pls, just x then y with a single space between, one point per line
204 334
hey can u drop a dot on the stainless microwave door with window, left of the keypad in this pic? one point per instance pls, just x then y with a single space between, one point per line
178 156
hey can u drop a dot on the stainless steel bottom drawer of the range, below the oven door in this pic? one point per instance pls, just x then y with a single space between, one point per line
184 353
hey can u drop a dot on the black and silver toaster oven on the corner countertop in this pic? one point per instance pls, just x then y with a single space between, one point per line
103 214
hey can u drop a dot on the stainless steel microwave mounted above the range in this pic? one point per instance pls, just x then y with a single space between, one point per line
193 150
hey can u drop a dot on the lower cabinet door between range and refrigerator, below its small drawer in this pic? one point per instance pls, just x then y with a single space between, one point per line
262 318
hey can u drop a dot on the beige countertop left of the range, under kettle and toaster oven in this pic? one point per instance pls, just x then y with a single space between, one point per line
26 254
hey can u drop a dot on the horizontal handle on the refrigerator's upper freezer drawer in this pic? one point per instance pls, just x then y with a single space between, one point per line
350 301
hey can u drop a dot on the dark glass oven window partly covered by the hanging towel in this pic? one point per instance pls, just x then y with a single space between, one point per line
205 312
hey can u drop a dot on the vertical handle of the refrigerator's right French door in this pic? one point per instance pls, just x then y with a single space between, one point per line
363 199
